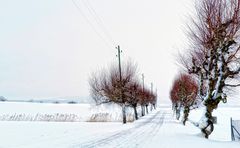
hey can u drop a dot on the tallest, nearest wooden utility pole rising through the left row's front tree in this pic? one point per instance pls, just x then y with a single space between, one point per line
120 77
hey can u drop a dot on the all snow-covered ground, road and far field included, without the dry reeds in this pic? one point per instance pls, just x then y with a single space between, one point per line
157 129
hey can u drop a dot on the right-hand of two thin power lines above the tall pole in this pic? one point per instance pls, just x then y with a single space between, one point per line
98 20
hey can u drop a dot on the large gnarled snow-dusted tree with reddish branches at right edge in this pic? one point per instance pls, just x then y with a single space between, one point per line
213 58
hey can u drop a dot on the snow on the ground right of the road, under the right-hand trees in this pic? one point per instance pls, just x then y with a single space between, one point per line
173 134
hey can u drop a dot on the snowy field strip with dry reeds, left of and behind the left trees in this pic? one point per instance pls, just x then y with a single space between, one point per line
26 111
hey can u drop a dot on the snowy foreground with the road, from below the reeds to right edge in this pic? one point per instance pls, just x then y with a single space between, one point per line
157 129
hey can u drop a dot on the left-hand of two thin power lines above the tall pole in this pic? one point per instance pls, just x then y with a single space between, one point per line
91 25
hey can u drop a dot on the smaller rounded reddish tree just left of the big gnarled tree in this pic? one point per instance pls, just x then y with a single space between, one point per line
183 94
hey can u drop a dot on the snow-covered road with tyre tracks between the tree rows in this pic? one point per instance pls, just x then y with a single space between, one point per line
140 134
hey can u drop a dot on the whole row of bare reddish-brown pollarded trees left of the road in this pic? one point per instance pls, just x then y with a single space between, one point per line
106 87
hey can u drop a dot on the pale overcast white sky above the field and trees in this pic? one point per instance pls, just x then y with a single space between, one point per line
48 49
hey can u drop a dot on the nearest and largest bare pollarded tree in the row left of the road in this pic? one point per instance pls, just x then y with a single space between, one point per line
106 87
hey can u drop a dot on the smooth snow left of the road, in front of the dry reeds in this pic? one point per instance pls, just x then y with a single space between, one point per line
52 134
